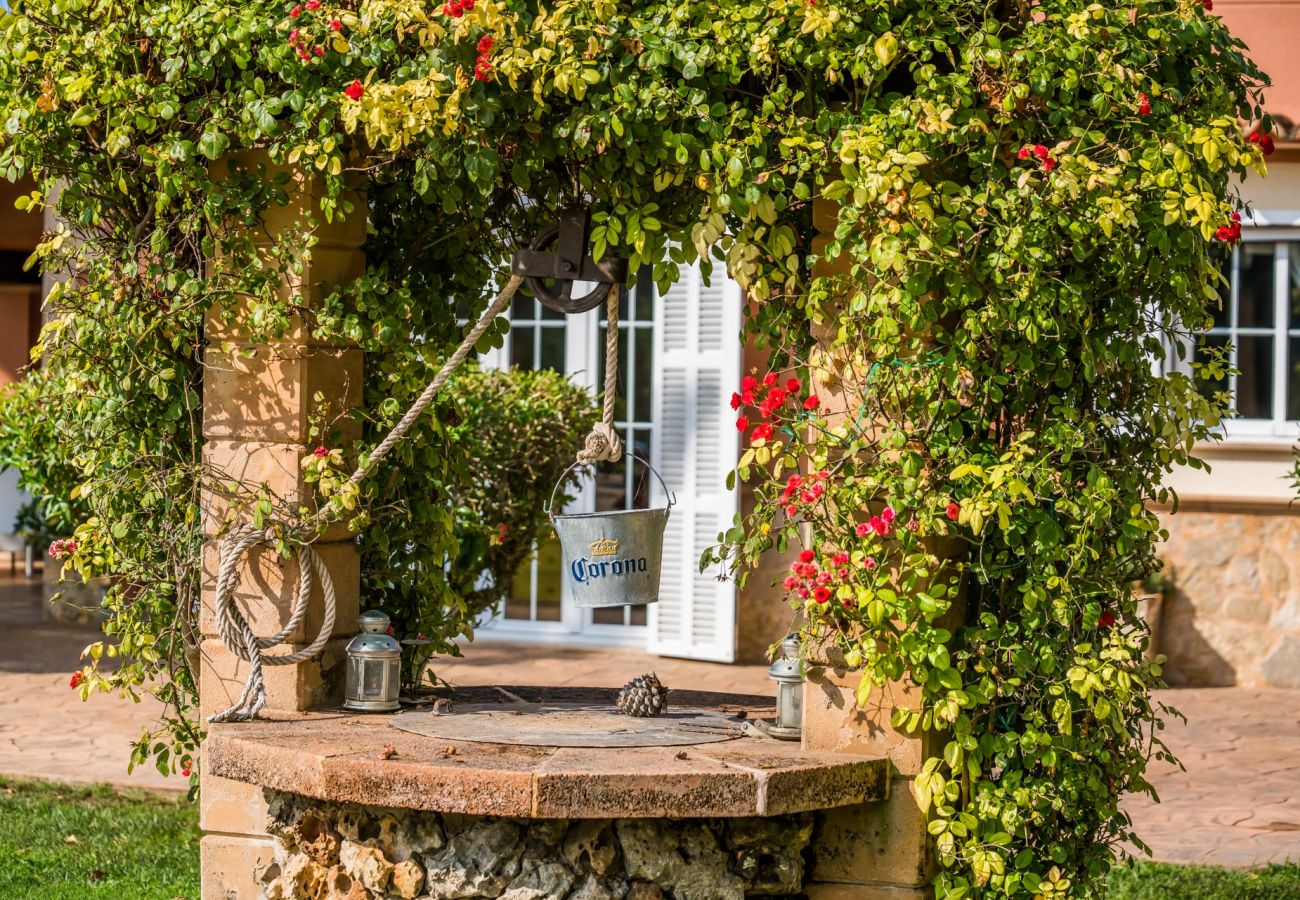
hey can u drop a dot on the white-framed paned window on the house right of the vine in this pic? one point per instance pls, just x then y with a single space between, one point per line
1260 318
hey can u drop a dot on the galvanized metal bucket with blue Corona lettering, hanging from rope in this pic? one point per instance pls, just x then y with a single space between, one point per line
613 559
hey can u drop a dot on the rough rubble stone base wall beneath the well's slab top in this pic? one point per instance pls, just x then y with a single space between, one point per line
348 853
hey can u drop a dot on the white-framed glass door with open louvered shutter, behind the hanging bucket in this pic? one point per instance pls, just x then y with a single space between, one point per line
679 361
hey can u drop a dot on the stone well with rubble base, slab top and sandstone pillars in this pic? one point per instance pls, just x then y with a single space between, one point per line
310 802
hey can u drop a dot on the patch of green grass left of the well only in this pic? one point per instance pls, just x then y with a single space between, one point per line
92 843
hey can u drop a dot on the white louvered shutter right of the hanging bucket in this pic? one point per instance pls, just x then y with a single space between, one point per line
697 356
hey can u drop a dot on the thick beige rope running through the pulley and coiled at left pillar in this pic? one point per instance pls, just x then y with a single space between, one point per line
233 628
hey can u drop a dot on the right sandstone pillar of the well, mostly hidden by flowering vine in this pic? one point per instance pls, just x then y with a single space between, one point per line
874 851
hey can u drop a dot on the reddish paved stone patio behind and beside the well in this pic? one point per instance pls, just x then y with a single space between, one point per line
1238 804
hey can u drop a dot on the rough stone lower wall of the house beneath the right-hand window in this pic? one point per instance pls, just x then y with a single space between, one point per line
1234 613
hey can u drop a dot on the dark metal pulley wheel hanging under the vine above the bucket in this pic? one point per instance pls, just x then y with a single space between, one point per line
558 258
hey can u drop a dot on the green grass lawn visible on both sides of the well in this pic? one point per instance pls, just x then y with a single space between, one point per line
132 846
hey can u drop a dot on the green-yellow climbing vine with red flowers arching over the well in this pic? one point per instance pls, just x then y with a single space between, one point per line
963 429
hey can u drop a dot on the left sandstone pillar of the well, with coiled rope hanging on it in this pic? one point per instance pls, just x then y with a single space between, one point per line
258 404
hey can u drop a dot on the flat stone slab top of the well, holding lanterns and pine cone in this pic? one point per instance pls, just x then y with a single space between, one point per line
348 758
